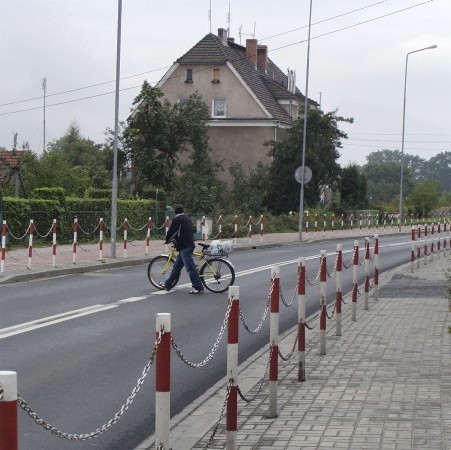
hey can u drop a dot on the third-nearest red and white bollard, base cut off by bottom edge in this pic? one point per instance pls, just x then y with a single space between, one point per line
232 368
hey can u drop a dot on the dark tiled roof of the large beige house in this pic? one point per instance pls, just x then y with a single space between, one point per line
268 87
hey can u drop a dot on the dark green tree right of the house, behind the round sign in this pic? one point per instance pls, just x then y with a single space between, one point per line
323 141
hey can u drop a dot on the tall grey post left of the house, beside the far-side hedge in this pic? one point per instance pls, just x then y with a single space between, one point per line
116 132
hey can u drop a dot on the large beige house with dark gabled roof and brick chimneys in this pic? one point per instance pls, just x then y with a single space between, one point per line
251 100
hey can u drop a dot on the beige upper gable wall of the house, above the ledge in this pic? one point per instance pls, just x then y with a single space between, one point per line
240 103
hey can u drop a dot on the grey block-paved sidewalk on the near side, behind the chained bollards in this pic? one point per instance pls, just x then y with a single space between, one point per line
384 384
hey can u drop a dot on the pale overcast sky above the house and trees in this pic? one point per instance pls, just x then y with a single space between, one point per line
357 62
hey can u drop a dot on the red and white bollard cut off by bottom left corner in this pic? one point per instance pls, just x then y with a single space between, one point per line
8 411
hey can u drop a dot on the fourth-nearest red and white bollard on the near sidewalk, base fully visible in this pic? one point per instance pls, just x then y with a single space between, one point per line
274 342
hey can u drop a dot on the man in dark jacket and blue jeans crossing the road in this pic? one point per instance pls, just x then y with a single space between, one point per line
181 233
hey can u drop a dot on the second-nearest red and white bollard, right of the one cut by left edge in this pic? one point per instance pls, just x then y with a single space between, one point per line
163 381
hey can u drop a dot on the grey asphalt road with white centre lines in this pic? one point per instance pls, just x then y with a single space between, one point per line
79 343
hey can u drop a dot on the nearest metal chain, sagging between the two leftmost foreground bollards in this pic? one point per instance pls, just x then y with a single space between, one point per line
81 437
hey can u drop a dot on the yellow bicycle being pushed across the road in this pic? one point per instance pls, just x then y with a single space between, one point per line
216 273
